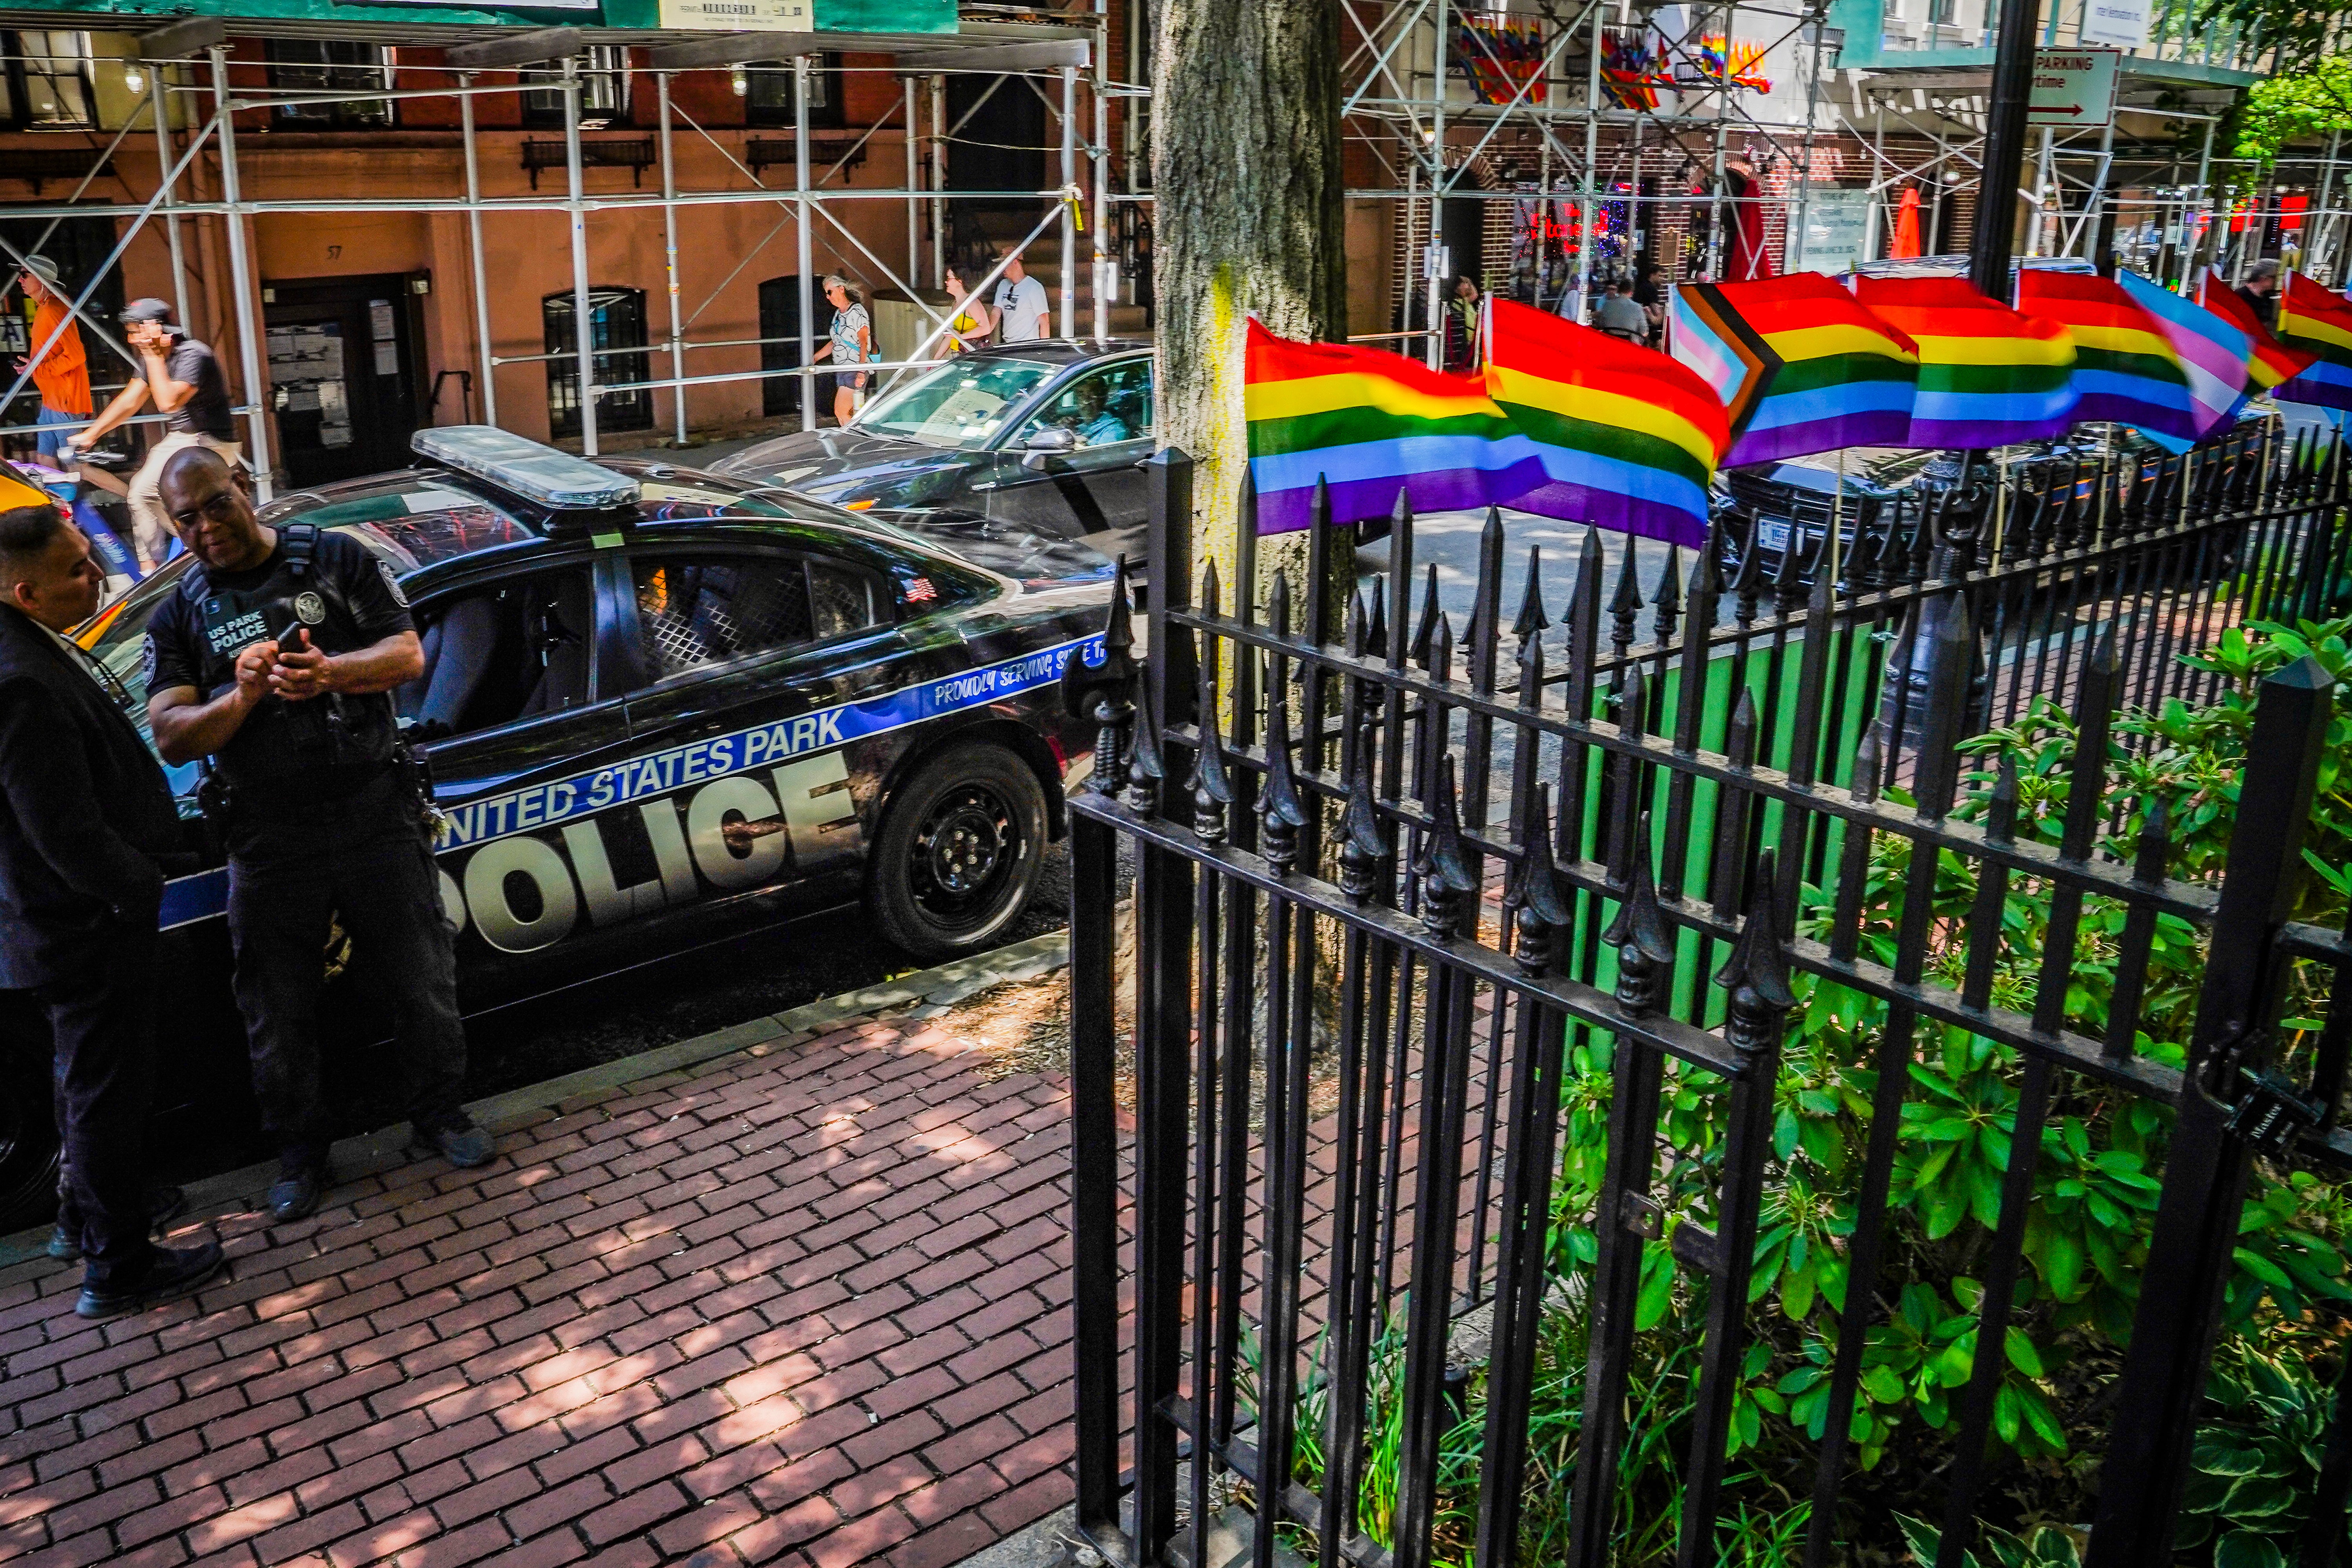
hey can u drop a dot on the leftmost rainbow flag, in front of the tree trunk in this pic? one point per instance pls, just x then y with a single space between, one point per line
1372 424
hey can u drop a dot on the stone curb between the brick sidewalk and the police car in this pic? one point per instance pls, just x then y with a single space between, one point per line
387 1148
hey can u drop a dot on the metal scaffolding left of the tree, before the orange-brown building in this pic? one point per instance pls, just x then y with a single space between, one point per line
189 69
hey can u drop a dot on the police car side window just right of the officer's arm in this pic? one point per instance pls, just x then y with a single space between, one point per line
500 655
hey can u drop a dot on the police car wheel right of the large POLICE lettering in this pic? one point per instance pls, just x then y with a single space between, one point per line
958 852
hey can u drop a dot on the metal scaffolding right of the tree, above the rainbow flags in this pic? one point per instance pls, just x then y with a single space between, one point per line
1610 98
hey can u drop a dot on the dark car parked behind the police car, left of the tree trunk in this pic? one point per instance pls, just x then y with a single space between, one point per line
1050 436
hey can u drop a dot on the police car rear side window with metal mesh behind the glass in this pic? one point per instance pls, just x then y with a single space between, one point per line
704 610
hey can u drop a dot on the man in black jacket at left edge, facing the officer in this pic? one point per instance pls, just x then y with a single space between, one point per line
83 815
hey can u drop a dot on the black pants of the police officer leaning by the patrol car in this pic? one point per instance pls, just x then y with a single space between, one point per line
293 869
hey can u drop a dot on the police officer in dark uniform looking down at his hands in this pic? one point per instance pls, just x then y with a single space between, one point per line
276 657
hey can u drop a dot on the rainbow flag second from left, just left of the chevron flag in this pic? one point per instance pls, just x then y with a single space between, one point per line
1626 436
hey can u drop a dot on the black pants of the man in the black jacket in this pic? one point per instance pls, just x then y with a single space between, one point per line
105 1036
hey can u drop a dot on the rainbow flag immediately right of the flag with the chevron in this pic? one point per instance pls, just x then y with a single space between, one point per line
1989 377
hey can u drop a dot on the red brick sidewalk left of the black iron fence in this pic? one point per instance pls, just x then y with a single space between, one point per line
806 1304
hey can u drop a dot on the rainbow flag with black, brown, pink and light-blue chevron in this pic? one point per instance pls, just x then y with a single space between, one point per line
1798 366
